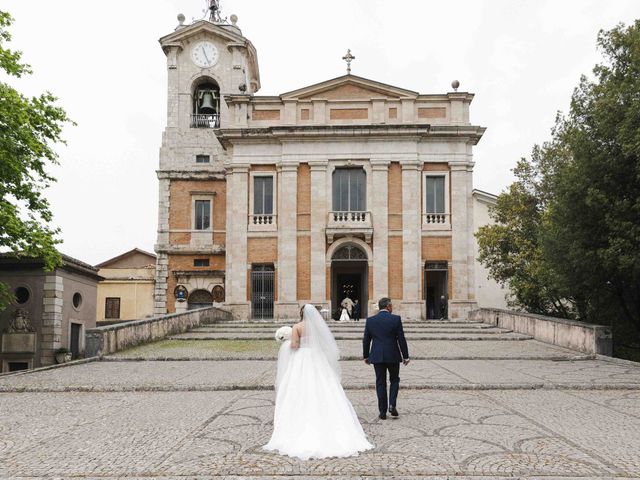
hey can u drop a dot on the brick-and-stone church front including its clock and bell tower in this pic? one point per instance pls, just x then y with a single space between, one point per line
346 188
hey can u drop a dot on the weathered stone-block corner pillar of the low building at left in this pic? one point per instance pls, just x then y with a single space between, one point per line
52 303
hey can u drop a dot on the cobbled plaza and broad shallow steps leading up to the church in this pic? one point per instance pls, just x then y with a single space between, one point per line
200 406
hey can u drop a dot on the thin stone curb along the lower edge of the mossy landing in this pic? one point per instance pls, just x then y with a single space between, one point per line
576 358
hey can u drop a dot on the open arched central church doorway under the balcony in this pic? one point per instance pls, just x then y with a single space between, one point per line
349 278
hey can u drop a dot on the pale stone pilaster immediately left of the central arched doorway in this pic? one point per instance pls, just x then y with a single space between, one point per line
319 212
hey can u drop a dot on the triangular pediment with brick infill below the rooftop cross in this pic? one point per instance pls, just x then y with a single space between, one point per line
349 87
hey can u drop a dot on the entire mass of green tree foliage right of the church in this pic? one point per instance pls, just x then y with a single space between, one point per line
567 232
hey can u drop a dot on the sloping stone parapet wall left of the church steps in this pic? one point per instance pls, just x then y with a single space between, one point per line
113 338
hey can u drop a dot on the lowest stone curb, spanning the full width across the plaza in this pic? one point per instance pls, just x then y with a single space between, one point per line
368 386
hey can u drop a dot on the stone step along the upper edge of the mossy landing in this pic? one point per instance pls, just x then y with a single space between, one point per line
354 336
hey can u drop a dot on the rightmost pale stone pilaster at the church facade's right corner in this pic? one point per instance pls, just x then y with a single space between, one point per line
461 245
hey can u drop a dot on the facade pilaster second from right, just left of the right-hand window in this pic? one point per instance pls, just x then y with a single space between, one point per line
411 305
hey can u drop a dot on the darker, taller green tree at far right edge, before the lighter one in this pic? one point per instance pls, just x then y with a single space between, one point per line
593 234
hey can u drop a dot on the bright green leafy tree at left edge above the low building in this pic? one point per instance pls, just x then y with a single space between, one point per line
29 130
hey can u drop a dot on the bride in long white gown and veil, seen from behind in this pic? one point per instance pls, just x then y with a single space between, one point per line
313 417
